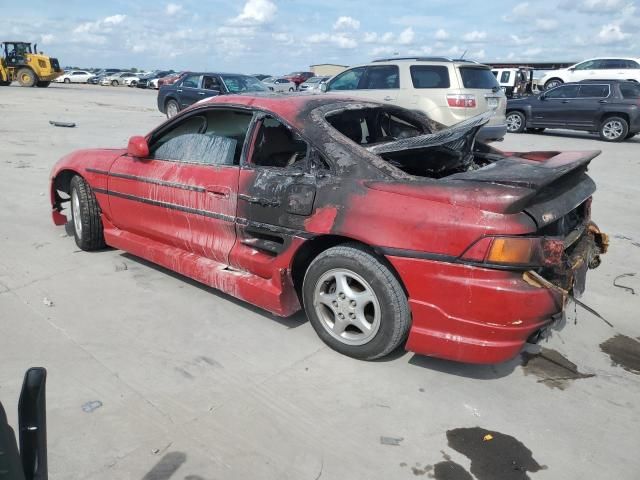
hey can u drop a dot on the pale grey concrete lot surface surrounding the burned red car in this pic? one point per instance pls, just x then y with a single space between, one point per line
154 376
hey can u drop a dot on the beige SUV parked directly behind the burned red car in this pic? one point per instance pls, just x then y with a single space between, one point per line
448 91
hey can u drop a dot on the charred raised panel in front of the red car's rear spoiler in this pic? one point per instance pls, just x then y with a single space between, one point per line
445 136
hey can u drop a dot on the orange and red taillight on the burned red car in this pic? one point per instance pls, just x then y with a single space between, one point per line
516 251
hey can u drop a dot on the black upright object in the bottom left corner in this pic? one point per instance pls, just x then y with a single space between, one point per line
31 461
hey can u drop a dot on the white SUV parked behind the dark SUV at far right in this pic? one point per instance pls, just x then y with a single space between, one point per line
594 69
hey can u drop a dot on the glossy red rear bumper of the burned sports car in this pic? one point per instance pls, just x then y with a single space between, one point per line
472 314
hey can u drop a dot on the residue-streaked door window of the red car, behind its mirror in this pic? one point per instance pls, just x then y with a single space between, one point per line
215 137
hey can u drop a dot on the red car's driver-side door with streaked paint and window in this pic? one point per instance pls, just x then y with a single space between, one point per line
184 194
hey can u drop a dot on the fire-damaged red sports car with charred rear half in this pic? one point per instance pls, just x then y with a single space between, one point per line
387 228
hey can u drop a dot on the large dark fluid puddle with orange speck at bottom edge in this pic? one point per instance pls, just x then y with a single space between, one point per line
493 455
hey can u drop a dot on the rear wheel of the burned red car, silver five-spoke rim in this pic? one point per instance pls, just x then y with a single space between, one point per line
370 330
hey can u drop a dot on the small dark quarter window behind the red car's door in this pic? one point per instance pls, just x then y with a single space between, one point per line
278 146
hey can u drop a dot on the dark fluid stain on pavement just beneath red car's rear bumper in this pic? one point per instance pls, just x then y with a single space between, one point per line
553 369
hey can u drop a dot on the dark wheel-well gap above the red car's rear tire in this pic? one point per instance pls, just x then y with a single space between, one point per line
309 250
